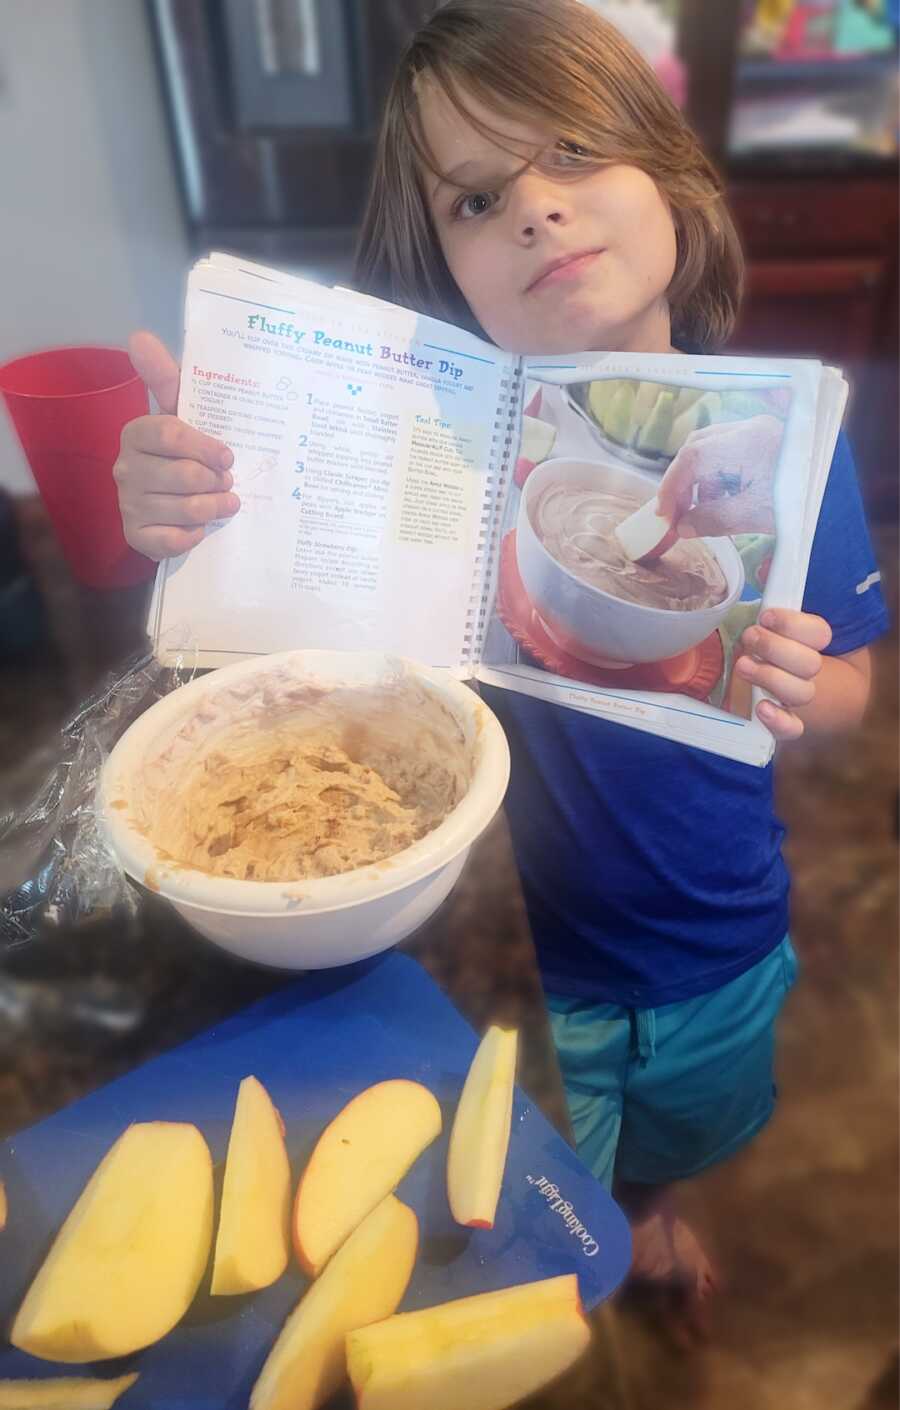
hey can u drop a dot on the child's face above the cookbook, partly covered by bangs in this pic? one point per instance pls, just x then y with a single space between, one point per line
501 239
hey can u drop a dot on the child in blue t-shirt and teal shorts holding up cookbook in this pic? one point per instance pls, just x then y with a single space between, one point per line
535 184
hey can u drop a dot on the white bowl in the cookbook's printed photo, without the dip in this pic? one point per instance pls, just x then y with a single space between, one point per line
585 620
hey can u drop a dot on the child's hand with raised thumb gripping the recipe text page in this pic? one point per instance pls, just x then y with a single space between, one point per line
173 479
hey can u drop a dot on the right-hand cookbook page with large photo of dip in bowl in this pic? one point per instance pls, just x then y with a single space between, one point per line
638 615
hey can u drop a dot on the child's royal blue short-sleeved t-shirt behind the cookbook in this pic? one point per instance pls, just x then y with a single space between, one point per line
654 872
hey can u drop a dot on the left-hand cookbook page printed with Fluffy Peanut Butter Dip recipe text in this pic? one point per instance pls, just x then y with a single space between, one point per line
366 458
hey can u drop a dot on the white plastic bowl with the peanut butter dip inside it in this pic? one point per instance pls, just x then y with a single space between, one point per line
310 809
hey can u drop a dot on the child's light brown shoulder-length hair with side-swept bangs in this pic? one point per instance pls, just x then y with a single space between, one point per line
562 67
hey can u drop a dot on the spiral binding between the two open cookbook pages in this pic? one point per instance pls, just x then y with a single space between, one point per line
504 445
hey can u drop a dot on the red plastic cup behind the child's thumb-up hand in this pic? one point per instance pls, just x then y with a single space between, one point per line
68 407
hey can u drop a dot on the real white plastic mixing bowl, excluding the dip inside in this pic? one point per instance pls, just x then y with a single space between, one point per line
325 921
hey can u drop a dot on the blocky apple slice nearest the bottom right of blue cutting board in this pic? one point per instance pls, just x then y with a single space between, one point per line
480 1353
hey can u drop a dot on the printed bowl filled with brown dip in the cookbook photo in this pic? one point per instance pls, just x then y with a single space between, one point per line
593 600
